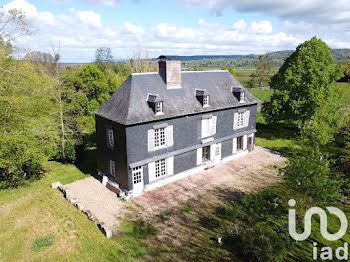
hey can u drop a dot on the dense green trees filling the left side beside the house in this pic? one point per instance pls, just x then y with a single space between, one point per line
46 109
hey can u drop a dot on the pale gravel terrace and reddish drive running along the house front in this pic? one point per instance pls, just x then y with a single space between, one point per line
245 174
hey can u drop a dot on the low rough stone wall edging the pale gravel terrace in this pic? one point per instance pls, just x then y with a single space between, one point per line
68 195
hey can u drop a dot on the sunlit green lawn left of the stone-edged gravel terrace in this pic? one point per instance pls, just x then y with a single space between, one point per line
38 224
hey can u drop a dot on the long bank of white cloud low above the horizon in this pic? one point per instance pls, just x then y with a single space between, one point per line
80 32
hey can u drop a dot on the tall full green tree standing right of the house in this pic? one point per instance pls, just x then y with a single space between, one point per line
303 85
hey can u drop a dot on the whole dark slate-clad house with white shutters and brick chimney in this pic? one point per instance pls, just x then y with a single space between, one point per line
159 127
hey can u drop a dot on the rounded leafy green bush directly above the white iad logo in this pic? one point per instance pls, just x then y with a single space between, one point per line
309 172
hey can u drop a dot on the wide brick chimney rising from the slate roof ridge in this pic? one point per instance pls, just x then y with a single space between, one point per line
170 71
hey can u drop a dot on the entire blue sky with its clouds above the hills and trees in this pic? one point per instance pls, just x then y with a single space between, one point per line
180 27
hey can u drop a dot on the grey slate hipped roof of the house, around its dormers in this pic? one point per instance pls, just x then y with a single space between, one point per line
128 105
